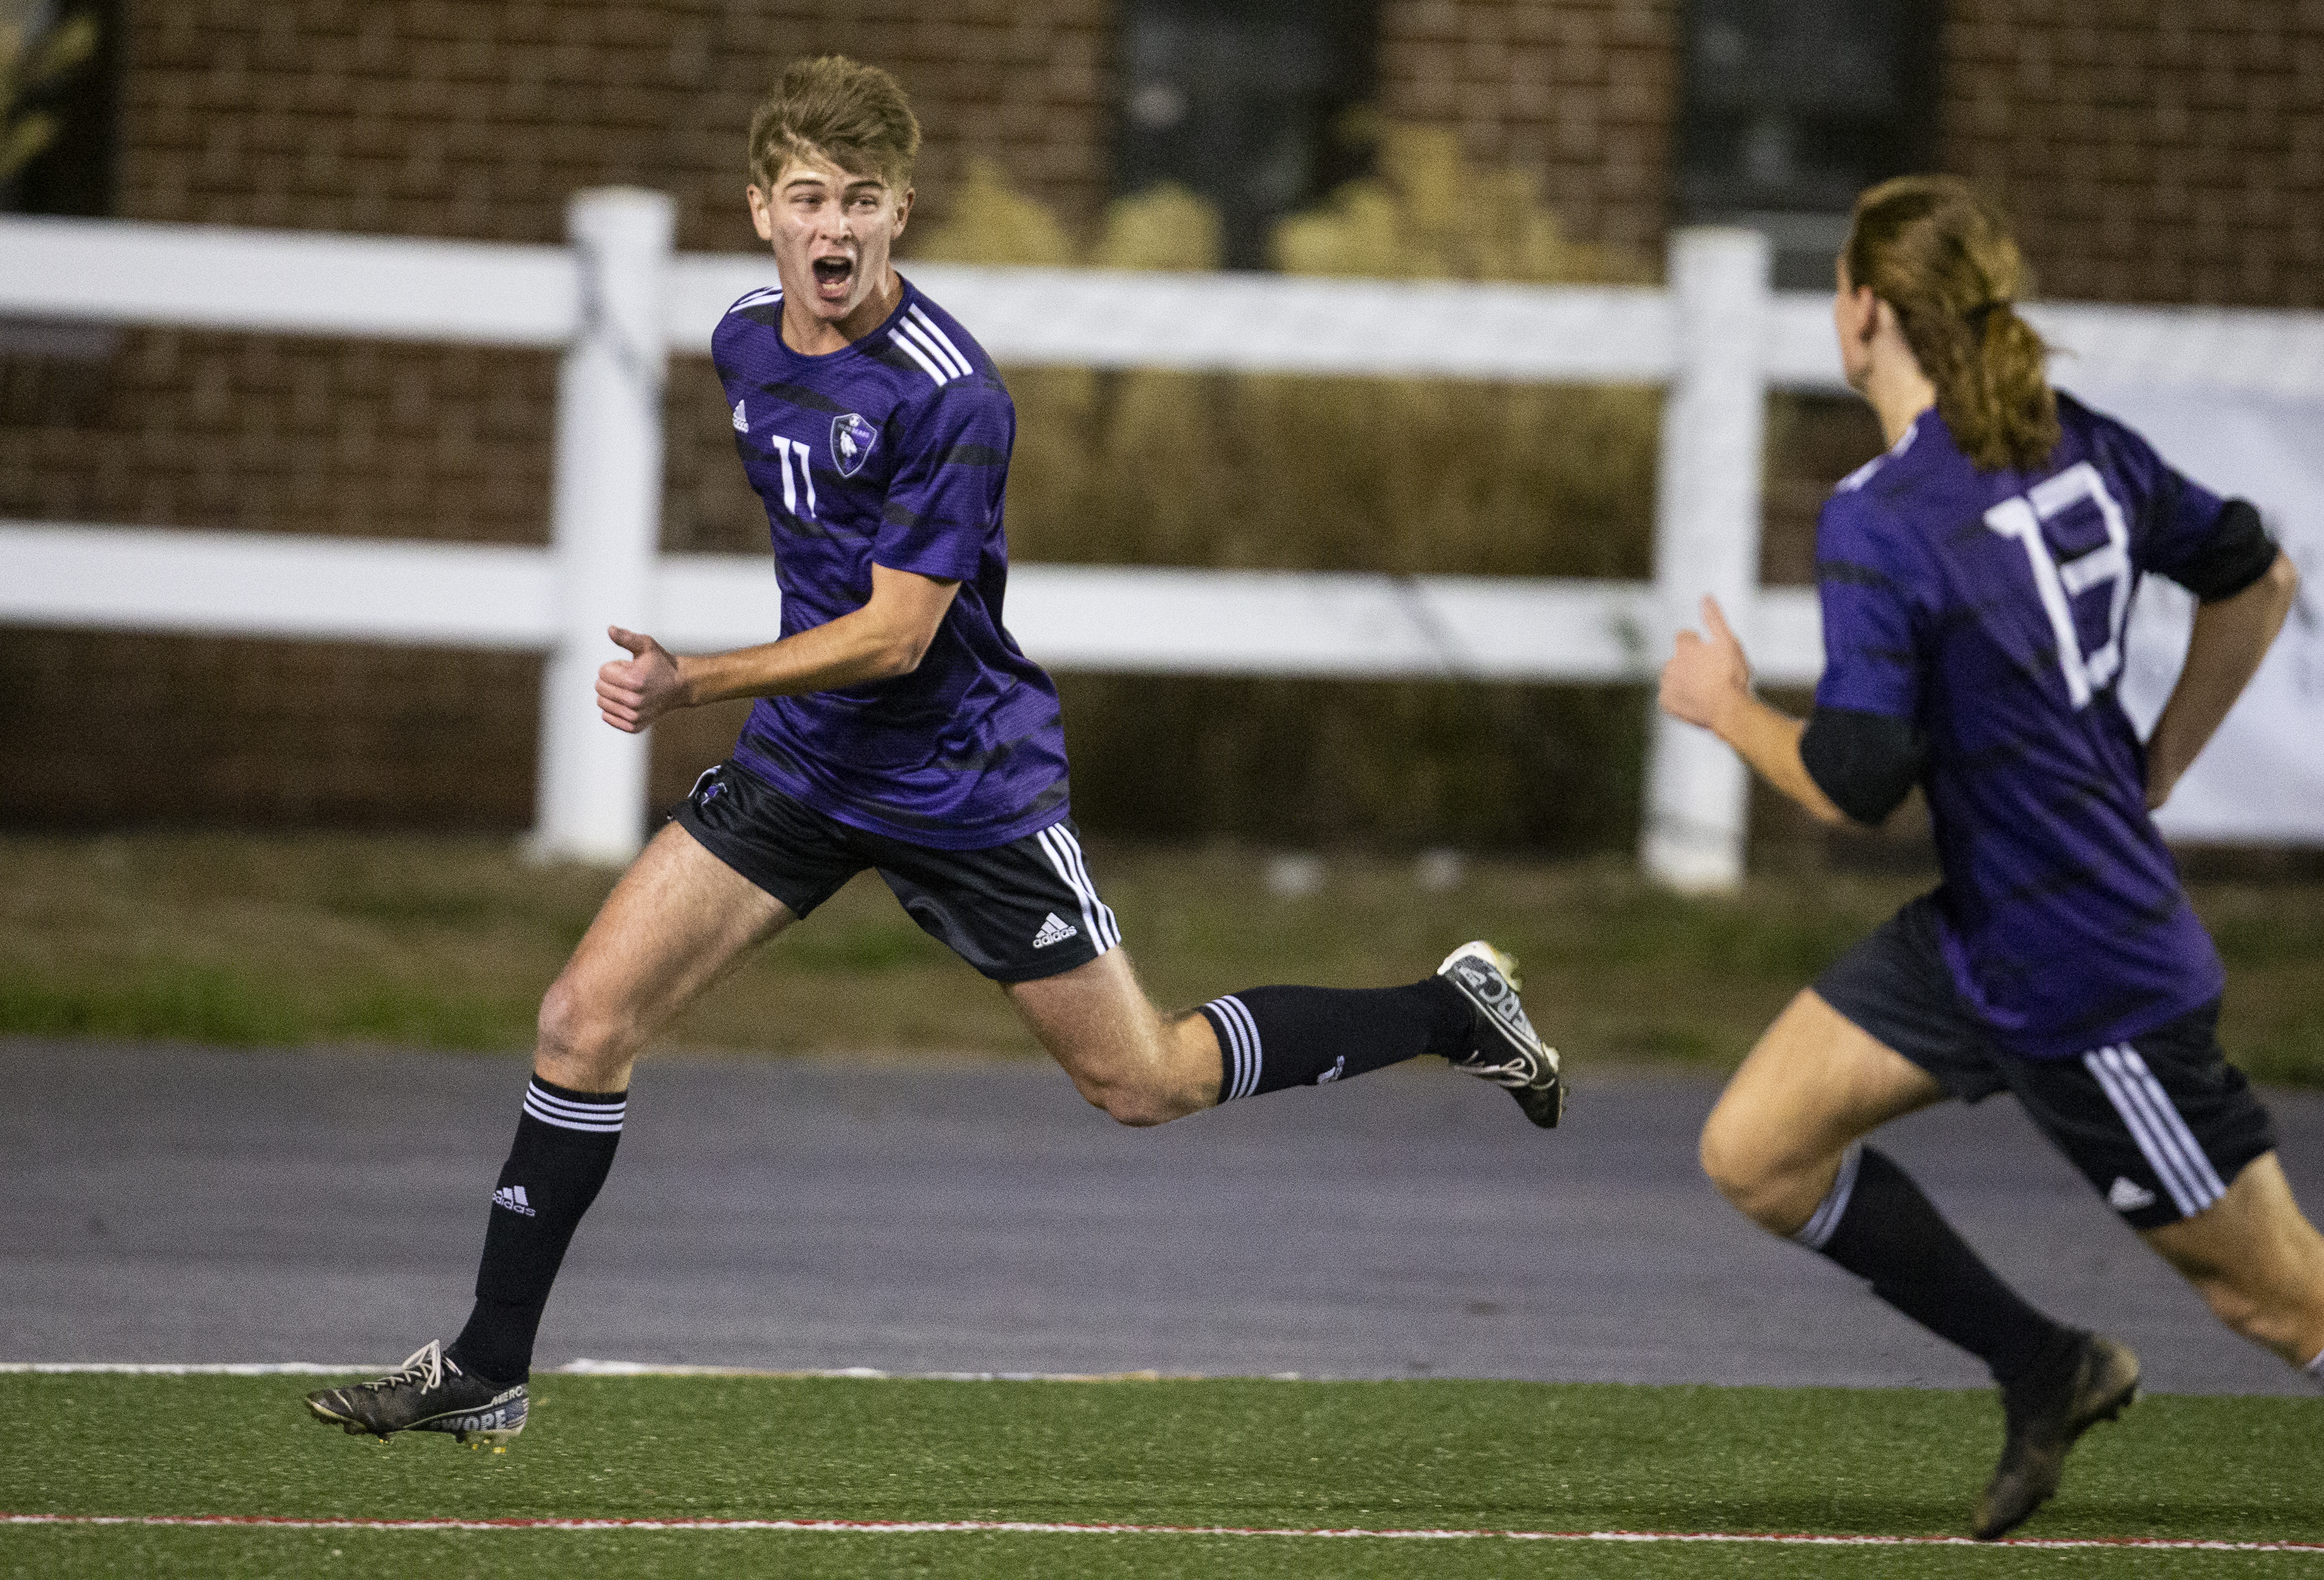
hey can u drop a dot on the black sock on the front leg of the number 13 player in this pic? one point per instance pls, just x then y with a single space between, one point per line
1879 1226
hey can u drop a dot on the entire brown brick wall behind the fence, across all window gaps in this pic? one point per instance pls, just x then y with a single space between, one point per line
2151 152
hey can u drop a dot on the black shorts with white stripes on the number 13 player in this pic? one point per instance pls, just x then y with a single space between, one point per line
2160 1123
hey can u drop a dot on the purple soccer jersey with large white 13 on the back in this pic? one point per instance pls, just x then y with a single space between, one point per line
1988 608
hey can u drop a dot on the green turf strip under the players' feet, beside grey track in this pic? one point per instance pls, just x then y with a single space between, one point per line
1221 1453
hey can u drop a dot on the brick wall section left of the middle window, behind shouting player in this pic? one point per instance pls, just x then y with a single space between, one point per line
450 120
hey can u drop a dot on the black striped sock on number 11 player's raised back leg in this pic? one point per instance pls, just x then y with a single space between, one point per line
1282 1037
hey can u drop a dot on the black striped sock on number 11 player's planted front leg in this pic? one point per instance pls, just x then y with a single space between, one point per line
564 1149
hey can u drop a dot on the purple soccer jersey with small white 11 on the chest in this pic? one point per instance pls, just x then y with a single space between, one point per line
894 452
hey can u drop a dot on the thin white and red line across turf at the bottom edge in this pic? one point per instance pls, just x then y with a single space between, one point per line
1045 1528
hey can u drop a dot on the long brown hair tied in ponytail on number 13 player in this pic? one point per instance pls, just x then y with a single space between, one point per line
1946 261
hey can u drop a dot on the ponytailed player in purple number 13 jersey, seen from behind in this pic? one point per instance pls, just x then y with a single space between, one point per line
1974 587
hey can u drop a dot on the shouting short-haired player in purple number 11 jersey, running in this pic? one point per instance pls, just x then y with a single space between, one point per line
898 728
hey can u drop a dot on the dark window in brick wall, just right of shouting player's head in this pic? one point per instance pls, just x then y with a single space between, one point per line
1245 103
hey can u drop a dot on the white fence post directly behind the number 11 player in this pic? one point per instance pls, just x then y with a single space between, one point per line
608 503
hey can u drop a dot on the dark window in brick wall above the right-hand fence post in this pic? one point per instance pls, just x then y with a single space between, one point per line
1798 106
